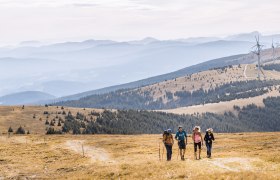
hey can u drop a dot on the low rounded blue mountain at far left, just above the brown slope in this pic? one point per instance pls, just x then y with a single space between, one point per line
26 97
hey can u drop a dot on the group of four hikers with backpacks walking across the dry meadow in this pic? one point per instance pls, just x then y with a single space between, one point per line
181 137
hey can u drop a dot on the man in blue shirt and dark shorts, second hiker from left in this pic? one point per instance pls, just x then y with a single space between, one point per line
181 137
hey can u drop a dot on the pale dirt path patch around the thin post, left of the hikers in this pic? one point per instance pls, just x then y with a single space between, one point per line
95 153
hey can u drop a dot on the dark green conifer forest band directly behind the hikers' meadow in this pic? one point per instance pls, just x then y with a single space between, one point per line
247 119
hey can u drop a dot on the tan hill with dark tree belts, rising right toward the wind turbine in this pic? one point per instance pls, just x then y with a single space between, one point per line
206 87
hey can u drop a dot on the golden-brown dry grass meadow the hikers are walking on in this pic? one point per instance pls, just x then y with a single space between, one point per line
235 156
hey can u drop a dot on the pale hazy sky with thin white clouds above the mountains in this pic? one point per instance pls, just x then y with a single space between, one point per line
59 20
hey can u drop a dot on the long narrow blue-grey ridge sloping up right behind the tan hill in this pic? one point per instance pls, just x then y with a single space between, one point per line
215 63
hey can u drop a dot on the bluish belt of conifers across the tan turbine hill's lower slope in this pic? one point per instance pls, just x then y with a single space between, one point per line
135 99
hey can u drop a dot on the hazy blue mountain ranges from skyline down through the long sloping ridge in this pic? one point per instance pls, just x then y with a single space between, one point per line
64 69
